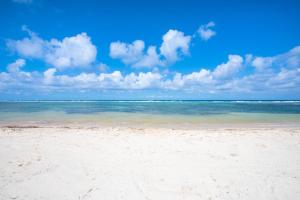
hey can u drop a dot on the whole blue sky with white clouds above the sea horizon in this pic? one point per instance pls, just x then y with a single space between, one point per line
150 49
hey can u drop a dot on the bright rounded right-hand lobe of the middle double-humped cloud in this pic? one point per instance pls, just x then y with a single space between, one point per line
175 43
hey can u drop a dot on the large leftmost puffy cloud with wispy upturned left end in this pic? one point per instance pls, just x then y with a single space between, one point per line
75 51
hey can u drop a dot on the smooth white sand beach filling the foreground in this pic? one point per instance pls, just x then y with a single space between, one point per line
112 163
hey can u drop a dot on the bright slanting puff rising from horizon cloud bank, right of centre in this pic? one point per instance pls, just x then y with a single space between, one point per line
230 68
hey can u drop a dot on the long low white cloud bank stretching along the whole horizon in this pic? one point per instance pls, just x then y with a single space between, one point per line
283 75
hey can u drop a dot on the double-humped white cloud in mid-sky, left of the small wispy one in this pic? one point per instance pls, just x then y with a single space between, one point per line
174 45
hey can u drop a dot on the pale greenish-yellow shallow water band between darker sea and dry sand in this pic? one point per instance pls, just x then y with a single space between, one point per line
142 120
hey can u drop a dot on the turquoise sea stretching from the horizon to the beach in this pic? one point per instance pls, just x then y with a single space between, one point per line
163 112
